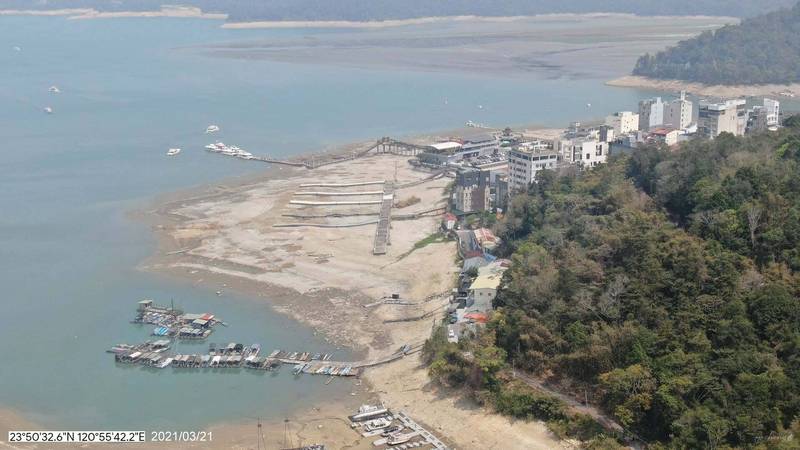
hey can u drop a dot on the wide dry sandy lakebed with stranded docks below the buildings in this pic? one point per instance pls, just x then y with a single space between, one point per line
225 235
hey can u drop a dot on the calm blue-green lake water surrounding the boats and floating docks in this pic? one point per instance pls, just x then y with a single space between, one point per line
132 88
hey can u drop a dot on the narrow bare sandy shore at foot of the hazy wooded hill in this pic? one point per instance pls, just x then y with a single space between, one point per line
632 81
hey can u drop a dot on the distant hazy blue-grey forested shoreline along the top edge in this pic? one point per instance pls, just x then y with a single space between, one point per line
361 10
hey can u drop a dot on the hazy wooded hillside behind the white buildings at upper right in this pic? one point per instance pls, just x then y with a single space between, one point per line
761 50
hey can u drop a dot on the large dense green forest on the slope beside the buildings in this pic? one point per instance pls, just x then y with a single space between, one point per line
666 284
